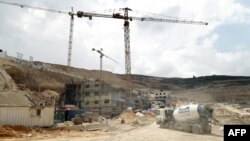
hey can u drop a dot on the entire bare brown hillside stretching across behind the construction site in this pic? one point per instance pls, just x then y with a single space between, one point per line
216 88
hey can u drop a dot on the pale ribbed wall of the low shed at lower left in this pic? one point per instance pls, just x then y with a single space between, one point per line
26 116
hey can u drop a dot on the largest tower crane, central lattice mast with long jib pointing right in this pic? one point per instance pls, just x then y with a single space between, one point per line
126 19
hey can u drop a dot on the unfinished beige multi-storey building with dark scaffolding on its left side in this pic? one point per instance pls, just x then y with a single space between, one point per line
94 96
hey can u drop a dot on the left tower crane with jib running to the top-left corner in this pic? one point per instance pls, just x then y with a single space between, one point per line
71 14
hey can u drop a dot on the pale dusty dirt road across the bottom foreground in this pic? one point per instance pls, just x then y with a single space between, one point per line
145 133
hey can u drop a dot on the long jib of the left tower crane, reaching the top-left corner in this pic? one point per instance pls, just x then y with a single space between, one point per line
34 7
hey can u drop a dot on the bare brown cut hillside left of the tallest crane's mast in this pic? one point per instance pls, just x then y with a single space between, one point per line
52 76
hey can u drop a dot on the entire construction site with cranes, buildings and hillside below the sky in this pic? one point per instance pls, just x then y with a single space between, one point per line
47 101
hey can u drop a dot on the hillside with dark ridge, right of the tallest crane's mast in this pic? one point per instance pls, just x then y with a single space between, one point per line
204 89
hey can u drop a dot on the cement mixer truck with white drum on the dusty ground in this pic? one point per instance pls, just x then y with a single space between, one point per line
192 118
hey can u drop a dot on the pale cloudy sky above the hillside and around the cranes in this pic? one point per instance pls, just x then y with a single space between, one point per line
157 49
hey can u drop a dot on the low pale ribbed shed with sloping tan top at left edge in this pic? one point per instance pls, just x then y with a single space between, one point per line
16 108
